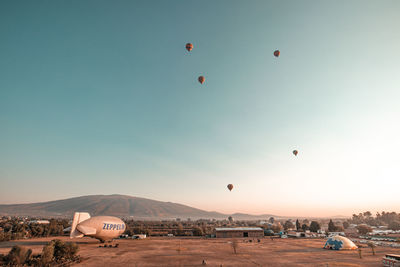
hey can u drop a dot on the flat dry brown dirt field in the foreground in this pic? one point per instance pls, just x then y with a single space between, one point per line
215 252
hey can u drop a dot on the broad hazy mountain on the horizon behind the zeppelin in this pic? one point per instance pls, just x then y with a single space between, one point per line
116 205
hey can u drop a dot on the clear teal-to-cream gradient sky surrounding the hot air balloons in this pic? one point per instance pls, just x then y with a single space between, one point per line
101 97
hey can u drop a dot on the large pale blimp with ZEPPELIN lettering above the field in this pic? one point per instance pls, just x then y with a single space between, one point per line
103 228
